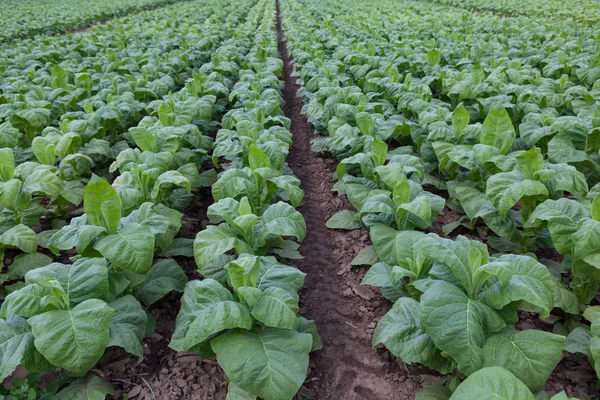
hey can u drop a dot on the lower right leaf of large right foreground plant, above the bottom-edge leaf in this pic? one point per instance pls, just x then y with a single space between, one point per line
531 354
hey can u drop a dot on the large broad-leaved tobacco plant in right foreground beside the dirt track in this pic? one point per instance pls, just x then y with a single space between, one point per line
454 304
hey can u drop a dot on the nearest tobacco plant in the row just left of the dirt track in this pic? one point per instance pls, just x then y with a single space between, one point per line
248 318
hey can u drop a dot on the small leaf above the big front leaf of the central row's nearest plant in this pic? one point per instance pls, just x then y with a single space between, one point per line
277 308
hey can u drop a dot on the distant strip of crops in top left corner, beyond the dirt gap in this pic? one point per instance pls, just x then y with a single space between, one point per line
22 19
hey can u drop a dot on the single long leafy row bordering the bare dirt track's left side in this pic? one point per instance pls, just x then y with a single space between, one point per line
245 310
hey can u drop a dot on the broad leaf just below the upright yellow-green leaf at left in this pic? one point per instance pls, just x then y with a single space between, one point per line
132 249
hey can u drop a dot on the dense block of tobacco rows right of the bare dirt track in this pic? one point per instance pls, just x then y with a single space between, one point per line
422 119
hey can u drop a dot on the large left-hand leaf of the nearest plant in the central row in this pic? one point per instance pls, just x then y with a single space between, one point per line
207 308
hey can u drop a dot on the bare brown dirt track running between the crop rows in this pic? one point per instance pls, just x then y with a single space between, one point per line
345 312
